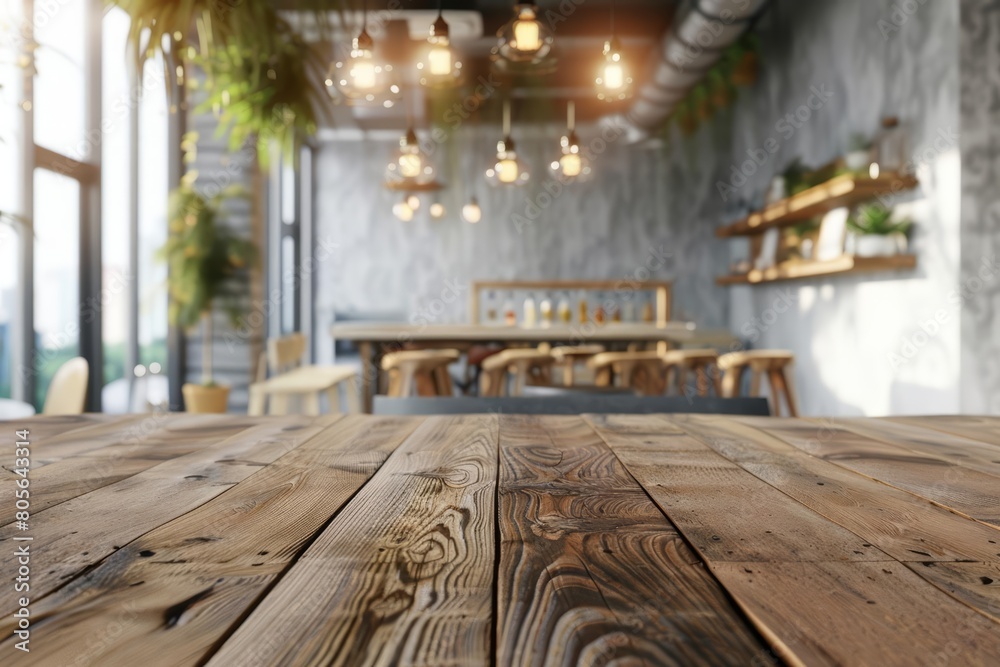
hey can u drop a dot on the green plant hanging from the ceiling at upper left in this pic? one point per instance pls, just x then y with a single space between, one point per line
261 78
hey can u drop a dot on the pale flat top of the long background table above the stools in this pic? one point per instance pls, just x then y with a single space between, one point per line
673 332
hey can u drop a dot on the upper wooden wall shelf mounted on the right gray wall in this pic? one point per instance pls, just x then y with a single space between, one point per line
845 190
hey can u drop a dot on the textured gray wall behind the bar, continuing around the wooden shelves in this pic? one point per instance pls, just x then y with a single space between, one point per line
860 341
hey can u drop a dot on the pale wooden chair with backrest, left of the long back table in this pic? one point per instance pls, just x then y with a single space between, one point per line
290 378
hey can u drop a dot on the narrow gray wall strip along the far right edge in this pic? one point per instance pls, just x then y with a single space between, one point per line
979 291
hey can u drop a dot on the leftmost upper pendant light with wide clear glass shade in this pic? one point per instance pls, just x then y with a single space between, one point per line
361 77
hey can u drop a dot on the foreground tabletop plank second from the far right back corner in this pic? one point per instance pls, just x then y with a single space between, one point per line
961 451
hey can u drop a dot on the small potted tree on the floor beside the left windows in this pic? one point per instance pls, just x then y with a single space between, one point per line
206 261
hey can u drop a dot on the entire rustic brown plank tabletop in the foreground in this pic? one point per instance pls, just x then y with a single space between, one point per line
508 540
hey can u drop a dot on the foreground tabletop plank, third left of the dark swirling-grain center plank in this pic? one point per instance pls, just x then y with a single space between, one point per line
69 538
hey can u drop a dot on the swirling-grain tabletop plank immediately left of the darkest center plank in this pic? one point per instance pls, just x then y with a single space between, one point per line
404 575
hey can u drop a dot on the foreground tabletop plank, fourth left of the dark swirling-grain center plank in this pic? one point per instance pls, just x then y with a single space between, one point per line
137 445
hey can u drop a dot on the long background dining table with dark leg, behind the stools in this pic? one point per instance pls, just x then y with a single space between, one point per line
371 338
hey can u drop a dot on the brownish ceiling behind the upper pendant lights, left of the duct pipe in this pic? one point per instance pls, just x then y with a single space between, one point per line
579 26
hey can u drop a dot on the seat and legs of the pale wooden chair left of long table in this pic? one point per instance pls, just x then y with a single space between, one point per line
308 382
